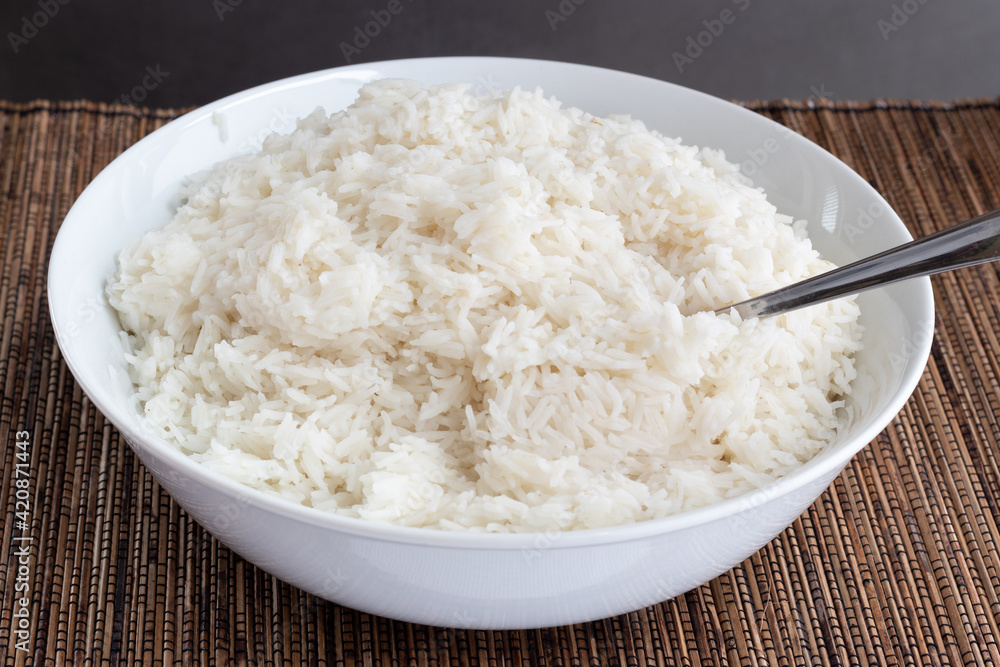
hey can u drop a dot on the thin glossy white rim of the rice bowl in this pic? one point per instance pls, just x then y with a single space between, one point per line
827 463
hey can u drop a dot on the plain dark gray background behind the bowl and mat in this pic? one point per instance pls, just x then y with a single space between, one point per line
194 51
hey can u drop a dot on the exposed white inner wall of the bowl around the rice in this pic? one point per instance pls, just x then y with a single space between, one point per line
847 219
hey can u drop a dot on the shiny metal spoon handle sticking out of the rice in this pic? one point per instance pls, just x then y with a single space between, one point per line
971 242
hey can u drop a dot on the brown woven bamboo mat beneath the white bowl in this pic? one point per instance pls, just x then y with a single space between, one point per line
897 563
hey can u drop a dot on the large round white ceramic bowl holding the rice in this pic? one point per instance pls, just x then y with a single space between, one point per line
475 580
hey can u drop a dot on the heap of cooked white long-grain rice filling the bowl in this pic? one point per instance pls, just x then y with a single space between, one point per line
460 312
